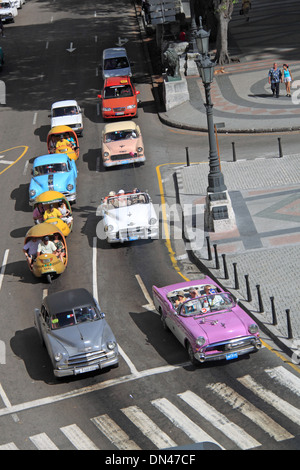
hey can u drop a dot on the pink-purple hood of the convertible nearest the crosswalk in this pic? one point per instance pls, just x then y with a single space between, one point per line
218 326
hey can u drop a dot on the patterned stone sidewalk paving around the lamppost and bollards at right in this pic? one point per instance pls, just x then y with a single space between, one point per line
265 192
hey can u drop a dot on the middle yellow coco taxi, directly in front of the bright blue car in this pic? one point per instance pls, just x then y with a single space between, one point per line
53 198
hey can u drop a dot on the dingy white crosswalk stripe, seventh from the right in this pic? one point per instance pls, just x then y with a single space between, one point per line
114 433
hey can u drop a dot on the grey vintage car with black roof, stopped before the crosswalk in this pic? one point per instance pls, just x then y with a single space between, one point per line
77 336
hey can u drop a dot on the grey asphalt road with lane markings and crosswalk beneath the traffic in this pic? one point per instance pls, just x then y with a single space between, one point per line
154 376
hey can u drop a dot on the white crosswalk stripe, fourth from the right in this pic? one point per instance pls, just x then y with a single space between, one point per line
240 437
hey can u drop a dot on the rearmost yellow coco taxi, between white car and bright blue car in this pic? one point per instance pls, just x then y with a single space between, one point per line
62 139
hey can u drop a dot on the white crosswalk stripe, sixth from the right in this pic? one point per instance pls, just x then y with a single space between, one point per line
159 438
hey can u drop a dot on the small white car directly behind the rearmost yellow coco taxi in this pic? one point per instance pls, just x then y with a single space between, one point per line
67 113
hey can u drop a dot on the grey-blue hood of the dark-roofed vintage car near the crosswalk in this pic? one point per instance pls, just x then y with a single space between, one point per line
82 337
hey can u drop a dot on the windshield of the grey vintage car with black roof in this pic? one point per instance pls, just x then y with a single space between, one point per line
74 317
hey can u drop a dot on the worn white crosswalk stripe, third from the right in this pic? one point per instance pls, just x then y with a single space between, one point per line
257 416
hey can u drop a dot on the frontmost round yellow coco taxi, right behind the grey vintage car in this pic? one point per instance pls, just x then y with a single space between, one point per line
48 265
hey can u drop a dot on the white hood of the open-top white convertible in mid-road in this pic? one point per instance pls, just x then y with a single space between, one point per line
124 217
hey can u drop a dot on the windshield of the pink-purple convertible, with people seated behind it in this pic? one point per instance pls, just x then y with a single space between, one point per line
206 304
